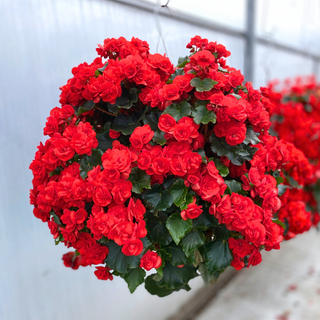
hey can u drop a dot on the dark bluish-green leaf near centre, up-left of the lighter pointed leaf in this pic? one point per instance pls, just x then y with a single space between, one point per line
157 199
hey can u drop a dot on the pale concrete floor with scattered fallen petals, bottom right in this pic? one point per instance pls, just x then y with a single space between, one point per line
285 286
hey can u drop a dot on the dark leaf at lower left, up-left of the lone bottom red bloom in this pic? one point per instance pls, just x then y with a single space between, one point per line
116 260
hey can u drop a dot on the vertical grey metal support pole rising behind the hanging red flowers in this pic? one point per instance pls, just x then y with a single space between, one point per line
250 42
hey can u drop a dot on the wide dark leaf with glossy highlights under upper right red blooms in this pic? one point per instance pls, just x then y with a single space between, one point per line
236 154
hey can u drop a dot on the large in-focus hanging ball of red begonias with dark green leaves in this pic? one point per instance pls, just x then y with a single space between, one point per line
148 166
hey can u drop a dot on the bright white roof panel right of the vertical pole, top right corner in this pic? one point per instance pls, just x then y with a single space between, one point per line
291 22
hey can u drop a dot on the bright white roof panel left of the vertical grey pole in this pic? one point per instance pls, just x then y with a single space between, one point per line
231 13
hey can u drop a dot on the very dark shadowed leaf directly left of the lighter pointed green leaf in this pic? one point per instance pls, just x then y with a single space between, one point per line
157 228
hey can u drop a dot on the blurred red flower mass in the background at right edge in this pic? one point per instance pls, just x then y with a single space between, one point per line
299 99
